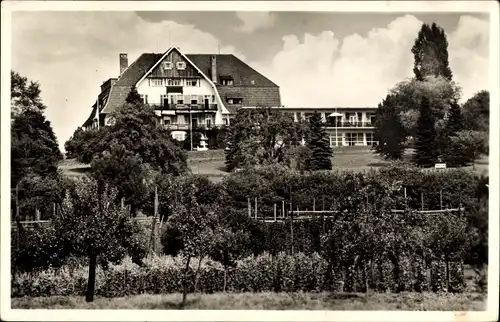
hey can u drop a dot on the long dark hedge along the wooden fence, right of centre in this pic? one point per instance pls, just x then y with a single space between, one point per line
330 190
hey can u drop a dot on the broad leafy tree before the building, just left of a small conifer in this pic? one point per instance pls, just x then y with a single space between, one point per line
260 136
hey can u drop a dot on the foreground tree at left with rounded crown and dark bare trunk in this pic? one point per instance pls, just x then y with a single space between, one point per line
90 219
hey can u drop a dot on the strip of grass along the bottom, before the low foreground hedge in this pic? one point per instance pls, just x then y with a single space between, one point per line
268 301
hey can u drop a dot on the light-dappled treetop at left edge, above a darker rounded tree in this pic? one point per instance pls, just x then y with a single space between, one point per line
24 96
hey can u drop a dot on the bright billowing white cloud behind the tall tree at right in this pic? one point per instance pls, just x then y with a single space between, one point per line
325 71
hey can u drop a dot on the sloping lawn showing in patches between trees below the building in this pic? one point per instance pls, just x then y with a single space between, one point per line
211 163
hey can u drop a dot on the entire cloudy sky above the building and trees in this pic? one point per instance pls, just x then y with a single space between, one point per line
319 59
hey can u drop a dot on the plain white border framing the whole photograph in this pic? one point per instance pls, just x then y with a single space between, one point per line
490 7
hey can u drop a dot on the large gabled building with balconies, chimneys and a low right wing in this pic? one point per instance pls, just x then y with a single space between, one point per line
201 91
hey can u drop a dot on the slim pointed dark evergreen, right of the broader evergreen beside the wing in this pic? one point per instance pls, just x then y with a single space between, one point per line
427 151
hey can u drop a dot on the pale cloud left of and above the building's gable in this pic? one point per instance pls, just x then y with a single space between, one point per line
72 53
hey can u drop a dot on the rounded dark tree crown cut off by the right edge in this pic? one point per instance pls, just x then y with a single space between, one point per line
476 111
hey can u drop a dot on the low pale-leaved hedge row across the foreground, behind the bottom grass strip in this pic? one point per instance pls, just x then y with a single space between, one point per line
279 273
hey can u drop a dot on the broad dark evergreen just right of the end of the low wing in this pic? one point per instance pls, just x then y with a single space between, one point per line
389 131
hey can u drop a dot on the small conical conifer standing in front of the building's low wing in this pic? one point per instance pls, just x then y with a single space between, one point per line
318 143
